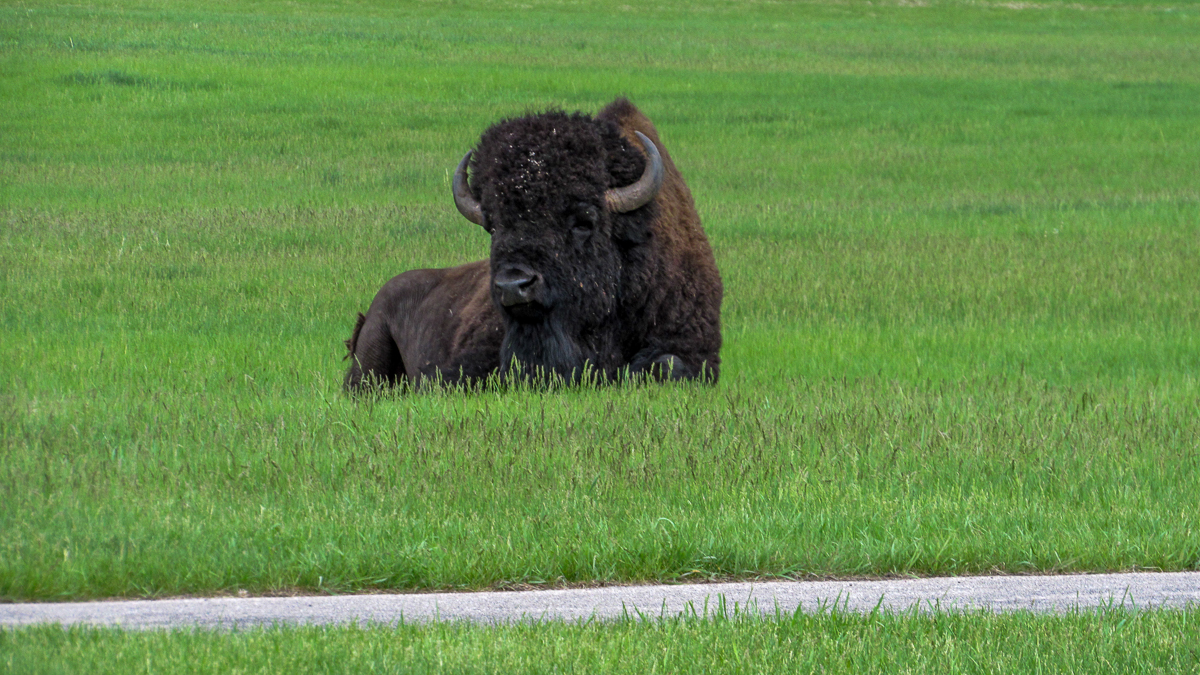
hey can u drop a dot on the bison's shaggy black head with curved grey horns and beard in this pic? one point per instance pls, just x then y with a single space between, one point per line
565 199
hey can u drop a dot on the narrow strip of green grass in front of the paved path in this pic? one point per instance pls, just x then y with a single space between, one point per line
831 642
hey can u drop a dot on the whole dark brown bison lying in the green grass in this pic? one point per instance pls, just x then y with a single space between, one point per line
598 264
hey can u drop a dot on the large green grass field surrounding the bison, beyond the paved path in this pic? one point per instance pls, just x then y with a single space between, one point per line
959 244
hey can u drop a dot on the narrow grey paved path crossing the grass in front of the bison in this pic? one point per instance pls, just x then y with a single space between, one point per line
998 594
